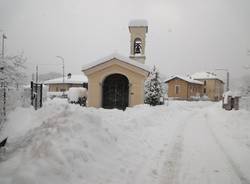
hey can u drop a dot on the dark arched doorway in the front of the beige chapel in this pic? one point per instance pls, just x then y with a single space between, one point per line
115 92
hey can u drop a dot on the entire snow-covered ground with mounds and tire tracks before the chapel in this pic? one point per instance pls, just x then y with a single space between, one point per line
184 142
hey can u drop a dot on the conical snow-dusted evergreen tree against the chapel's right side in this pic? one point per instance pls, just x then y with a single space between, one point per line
153 89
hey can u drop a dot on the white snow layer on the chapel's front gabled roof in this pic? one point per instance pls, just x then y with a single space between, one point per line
120 58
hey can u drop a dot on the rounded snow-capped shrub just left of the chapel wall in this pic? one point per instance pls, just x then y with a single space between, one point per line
77 95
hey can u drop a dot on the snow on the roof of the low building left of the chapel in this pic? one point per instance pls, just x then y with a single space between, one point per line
74 79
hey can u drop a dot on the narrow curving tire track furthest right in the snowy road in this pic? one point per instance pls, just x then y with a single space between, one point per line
234 166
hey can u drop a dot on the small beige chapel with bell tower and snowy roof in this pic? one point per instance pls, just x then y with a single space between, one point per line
117 81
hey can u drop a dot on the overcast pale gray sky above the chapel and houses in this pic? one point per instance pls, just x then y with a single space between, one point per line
185 36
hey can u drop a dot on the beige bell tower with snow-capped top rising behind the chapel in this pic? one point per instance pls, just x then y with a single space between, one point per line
138 30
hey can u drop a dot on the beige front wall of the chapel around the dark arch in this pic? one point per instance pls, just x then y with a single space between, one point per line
97 74
